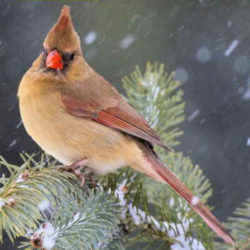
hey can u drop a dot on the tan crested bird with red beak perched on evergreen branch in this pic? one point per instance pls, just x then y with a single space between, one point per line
79 118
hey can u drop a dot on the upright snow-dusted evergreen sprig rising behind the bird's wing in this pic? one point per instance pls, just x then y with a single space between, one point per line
156 96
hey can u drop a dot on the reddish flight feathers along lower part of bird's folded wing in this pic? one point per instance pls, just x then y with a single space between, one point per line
121 117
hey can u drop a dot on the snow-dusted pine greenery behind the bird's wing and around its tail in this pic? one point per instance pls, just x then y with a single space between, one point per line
153 211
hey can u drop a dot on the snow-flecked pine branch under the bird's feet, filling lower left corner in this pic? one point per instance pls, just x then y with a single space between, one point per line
49 208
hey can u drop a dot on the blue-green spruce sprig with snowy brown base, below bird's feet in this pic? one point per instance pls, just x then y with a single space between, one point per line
79 221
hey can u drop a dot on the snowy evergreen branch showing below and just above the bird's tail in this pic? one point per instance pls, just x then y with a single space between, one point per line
154 214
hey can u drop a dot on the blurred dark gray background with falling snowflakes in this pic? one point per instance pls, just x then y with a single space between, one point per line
205 41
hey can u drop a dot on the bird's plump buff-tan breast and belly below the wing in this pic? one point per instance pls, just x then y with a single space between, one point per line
69 138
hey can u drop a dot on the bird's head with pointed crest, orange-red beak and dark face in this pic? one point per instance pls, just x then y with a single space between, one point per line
62 53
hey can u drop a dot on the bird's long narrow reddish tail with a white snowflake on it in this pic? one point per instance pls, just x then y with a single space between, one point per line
165 175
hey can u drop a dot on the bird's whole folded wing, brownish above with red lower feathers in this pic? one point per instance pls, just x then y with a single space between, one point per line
106 106
